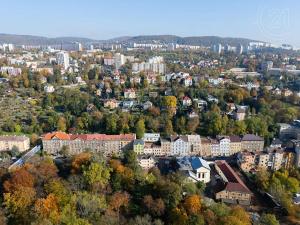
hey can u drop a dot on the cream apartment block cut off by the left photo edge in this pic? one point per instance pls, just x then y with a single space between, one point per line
8 142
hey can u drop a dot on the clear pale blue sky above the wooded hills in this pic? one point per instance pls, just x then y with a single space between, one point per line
274 21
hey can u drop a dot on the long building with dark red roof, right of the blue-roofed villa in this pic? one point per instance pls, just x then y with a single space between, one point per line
231 189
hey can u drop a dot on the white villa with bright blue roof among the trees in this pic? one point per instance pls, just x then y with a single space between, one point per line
195 168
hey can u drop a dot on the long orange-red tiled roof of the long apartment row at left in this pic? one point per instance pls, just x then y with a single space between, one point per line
87 137
